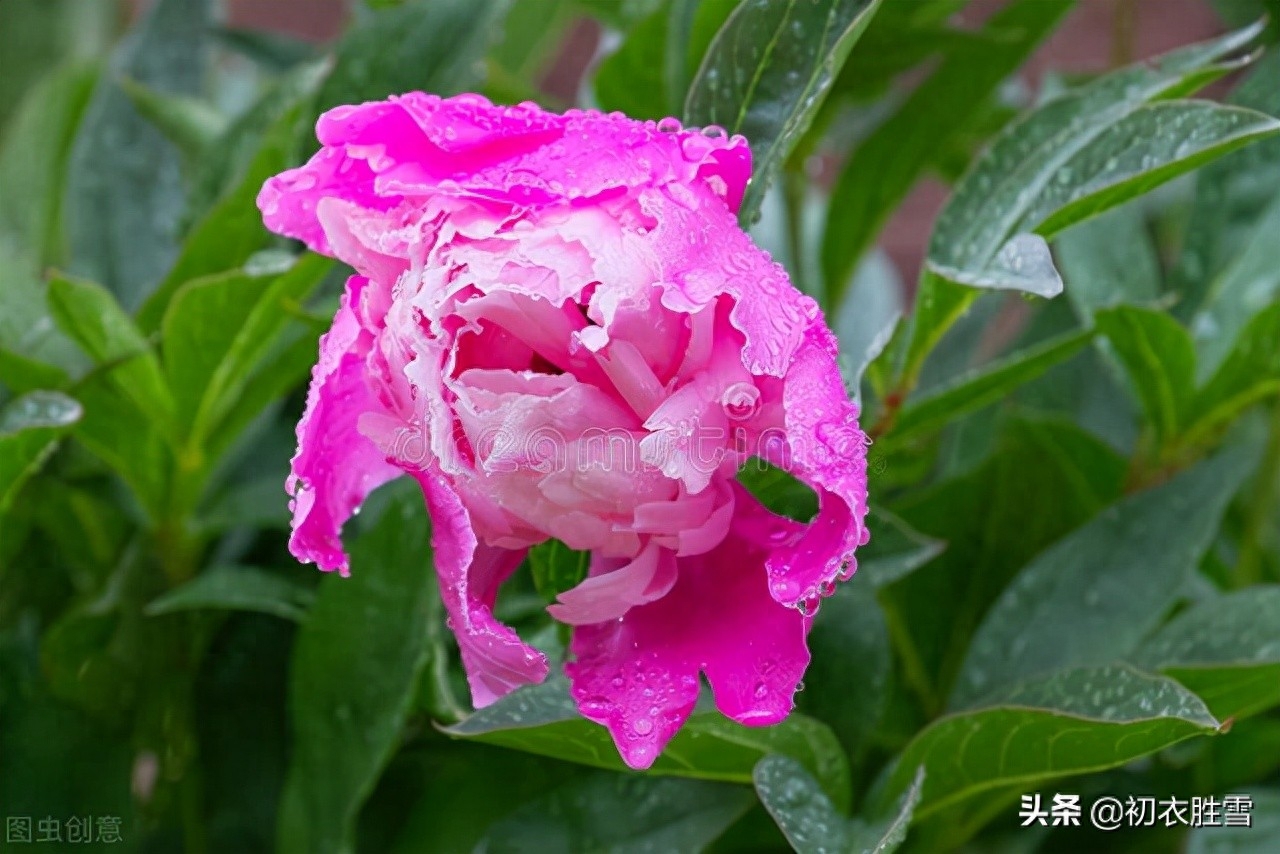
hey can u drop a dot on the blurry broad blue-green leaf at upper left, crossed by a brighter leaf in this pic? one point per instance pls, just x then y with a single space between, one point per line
121 222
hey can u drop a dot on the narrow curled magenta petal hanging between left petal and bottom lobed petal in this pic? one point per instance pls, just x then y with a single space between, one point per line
470 574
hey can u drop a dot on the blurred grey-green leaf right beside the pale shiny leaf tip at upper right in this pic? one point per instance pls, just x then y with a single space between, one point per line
1109 261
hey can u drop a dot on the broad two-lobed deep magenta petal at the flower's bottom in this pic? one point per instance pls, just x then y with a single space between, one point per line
639 675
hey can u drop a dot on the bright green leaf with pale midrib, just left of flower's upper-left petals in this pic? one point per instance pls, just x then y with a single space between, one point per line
220 330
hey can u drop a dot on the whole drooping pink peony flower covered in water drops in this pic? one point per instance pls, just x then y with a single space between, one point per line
560 331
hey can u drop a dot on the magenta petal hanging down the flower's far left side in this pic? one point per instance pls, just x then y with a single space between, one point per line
336 468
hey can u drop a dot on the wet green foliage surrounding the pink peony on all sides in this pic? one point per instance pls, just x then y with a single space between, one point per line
1073 582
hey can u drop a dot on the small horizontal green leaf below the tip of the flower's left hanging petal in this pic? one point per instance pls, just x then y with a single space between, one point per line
237 588
